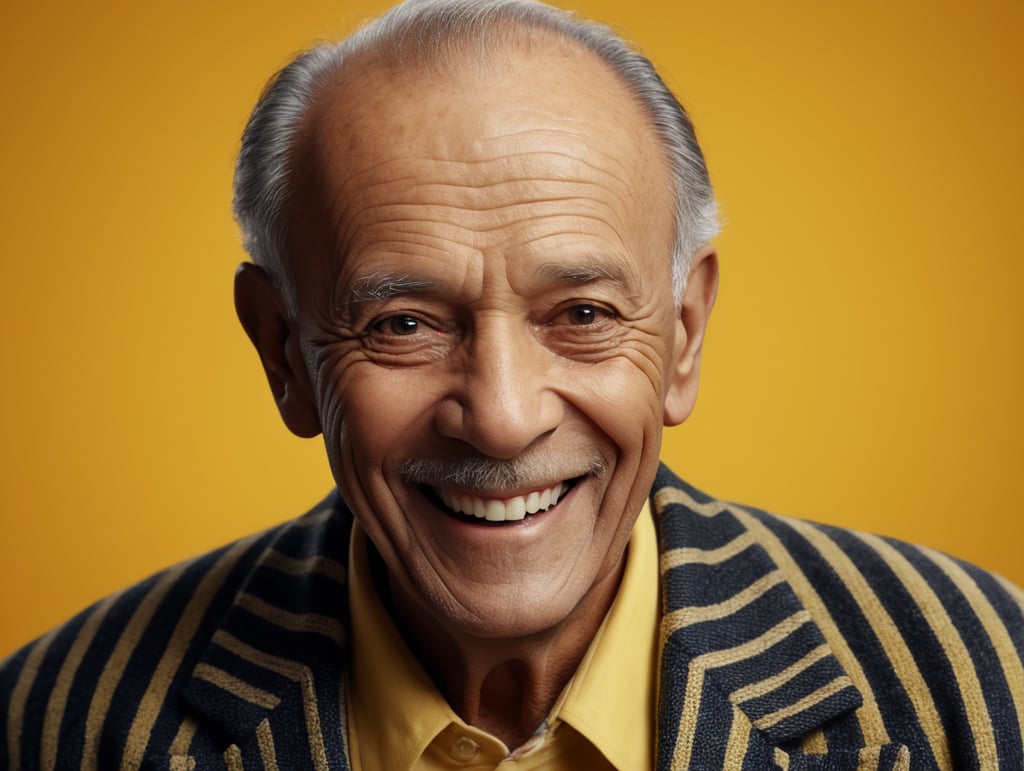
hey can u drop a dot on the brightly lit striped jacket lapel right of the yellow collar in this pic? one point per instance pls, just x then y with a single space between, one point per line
736 641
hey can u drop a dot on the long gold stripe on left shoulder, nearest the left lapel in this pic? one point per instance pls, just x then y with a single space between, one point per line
170 661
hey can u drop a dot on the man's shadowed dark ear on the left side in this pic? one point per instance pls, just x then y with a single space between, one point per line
266 319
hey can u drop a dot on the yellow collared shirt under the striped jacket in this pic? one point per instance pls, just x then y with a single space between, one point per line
605 718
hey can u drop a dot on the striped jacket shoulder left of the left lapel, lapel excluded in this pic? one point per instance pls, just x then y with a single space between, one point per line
82 690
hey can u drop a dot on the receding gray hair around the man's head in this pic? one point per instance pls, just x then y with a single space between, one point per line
438 31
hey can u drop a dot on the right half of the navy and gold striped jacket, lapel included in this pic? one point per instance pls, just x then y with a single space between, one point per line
790 645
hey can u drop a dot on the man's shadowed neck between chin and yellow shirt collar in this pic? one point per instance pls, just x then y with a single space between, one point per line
504 687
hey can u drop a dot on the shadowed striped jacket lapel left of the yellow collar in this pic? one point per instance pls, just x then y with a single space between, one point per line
271 681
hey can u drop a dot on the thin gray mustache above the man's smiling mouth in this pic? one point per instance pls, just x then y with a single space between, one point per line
494 475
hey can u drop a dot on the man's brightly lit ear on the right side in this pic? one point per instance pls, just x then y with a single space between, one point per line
685 371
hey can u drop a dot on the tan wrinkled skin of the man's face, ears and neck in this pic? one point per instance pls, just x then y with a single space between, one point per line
482 261
